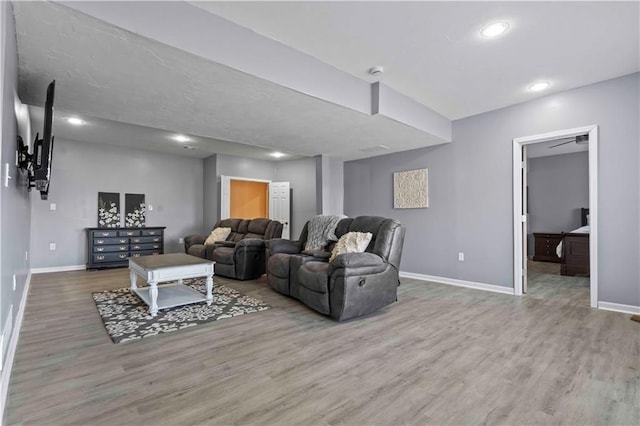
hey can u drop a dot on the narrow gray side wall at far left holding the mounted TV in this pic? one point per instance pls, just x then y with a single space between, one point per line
14 199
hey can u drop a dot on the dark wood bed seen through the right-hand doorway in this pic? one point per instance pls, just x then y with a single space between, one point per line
573 250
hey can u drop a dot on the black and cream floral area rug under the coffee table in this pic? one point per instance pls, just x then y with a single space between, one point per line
126 317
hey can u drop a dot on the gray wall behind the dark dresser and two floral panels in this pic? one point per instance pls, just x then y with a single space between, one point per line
172 185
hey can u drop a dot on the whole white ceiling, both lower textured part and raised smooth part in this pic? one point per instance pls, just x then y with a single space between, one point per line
140 90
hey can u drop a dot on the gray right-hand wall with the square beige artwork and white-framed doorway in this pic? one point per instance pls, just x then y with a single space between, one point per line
470 188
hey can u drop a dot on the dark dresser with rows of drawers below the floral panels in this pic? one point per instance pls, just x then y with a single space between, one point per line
112 247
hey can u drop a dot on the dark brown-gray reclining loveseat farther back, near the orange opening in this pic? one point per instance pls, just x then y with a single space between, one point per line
242 255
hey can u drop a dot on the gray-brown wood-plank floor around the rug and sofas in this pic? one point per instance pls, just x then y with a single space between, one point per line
440 355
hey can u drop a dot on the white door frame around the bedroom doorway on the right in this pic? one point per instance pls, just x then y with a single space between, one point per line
518 237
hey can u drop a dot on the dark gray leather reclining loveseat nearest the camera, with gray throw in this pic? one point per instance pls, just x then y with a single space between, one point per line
353 284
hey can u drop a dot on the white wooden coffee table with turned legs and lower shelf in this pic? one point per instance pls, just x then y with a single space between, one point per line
170 267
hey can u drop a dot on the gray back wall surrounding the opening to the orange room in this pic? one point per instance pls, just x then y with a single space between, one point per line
299 173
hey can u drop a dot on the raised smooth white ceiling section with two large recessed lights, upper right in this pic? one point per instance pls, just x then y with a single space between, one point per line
433 51
